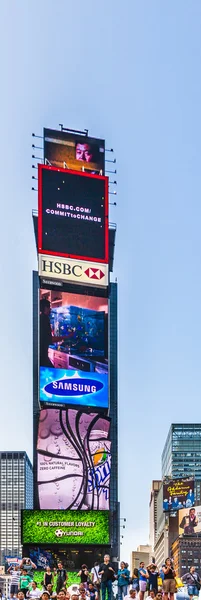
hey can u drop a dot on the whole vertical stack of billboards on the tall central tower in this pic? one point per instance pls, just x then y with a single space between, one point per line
73 445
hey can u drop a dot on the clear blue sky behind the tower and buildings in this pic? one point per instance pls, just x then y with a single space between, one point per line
130 72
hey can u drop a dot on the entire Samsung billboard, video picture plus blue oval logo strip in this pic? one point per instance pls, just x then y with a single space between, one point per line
73 349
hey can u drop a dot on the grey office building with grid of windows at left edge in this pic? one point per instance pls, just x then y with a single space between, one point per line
16 491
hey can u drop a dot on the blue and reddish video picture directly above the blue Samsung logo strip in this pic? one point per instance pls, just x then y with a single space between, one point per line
73 331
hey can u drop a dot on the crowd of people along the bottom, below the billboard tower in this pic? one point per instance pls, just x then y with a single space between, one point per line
97 583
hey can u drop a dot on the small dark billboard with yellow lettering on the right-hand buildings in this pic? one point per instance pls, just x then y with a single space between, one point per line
178 493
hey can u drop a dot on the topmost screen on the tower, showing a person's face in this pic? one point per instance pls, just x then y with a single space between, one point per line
73 151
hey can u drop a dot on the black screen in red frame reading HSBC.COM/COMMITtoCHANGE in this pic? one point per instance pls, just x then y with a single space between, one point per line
72 214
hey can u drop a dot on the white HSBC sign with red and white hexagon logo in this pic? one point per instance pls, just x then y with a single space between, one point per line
73 270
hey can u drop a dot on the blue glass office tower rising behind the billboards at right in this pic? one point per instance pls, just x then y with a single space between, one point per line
181 456
